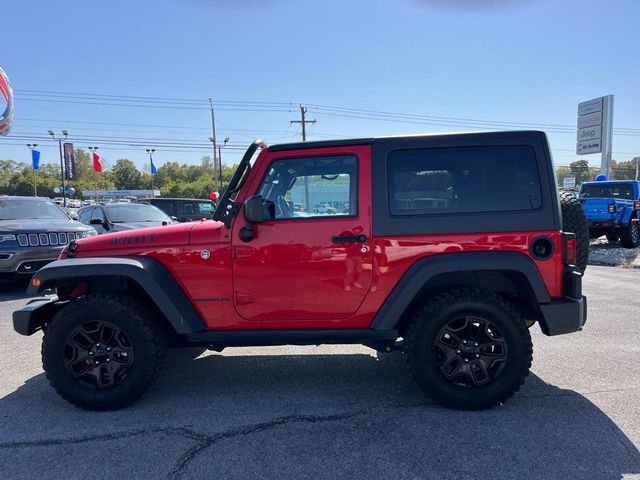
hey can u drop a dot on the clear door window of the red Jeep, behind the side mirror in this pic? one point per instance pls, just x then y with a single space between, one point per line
312 186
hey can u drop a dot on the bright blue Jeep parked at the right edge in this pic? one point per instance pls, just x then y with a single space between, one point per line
612 209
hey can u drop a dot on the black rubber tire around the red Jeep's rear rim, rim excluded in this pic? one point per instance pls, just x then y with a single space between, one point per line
431 317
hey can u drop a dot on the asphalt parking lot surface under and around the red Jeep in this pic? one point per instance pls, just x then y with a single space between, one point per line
339 412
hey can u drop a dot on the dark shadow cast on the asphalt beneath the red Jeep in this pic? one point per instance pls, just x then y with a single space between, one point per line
312 416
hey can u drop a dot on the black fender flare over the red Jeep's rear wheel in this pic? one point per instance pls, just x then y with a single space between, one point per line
429 267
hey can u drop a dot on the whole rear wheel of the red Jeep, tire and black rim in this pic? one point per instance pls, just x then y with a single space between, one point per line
468 349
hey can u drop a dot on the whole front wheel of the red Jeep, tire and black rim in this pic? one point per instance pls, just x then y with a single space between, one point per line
103 351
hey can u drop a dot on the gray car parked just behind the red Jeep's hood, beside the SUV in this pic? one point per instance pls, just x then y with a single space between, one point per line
118 217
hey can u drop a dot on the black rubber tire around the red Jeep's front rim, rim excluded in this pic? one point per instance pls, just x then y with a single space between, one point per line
148 340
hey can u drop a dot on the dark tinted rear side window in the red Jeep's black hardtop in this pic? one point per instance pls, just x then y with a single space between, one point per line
463 180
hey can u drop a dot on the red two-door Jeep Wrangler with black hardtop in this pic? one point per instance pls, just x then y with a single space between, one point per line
447 247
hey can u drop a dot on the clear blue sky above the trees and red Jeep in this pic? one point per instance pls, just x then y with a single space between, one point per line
522 61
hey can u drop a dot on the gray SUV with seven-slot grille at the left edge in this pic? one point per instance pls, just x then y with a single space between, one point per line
33 231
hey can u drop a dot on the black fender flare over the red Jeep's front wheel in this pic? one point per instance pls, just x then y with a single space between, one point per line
147 272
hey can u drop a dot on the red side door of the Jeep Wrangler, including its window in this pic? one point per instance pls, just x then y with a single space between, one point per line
304 263
